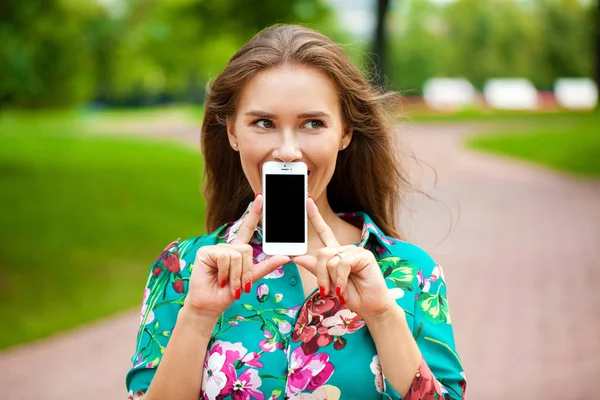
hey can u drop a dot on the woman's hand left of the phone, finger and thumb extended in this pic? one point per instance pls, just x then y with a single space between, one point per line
222 271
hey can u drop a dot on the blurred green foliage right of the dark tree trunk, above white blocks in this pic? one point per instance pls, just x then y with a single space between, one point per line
480 39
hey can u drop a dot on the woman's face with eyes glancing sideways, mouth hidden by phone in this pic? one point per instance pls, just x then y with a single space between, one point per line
288 114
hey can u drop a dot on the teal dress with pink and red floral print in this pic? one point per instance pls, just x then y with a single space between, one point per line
274 343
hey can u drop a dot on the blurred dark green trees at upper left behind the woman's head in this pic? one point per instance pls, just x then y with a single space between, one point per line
56 53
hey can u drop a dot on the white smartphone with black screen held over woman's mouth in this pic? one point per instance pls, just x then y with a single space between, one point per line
284 219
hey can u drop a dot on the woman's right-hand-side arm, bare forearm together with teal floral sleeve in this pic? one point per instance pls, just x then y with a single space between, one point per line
424 365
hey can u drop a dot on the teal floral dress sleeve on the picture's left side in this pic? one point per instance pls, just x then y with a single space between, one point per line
164 294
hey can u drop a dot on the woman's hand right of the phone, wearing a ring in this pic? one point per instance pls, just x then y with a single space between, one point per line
351 272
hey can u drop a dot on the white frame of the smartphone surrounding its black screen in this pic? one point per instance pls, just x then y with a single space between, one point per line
280 168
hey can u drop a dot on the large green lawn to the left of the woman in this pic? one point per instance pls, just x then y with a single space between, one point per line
82 218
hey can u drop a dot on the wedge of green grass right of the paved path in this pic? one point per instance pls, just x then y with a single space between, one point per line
569 143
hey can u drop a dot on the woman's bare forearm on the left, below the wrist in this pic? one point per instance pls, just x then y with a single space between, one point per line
179 374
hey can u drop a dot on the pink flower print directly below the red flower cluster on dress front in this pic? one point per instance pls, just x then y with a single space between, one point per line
307 372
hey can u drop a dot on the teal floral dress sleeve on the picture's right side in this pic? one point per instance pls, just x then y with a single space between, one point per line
440 374
